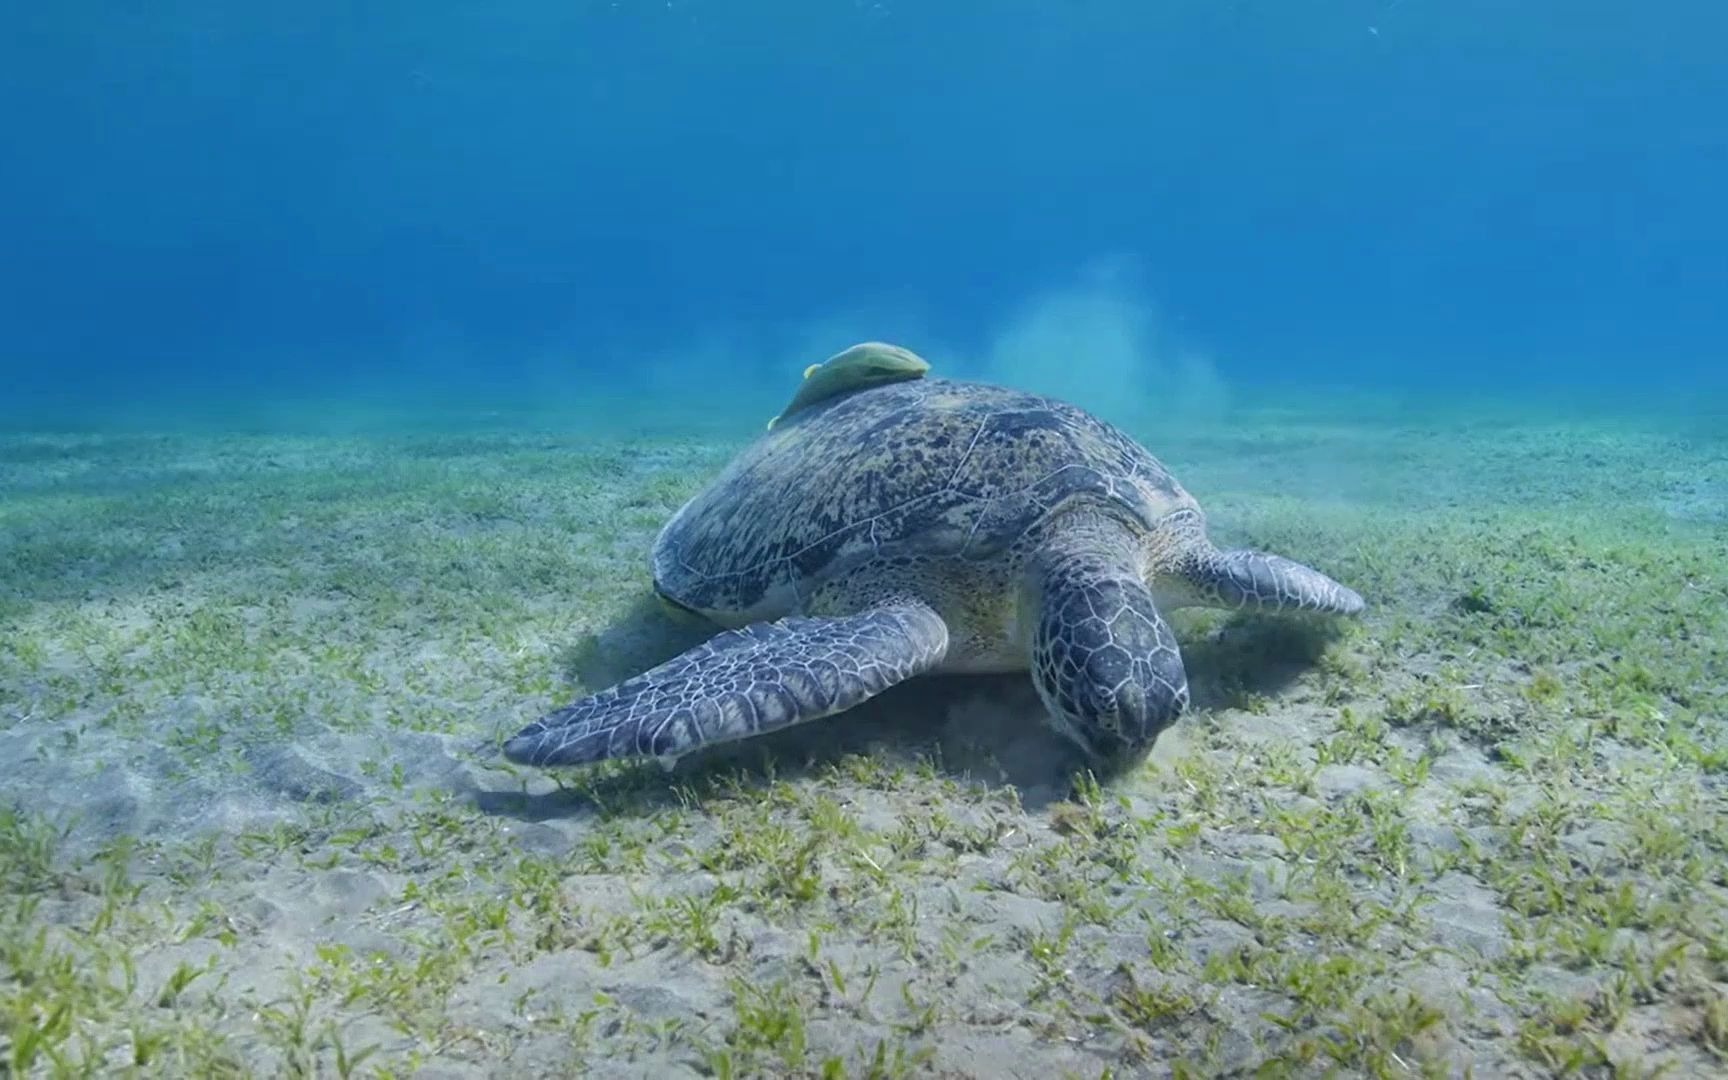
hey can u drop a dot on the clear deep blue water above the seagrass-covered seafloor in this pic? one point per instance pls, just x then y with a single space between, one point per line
257 203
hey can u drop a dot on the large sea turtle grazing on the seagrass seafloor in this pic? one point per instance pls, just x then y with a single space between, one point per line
929 526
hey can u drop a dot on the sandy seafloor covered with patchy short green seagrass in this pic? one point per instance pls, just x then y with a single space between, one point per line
255 823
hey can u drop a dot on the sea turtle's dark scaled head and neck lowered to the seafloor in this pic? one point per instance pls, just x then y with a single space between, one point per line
1103 658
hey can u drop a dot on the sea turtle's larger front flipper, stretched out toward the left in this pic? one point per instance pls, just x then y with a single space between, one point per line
742 683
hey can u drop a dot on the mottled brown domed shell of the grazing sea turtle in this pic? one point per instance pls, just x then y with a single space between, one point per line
918 469
